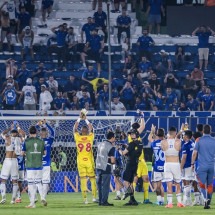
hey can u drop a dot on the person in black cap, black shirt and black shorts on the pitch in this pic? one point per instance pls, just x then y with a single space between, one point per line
133 152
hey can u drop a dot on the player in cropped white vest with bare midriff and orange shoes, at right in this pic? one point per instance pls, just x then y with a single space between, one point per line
172 171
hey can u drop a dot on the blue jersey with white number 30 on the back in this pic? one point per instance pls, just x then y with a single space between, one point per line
158 155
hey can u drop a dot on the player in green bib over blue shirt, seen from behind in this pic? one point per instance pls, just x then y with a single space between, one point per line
34 149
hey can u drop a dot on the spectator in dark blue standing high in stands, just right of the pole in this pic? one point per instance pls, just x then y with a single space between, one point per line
123 24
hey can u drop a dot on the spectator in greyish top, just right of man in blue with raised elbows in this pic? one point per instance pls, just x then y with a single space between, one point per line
71 43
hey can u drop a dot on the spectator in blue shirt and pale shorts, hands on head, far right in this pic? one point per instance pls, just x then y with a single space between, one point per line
203 34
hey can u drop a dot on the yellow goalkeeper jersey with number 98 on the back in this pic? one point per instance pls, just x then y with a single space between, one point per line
84 145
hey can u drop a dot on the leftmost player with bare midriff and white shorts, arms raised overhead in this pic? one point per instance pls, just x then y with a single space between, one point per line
10 165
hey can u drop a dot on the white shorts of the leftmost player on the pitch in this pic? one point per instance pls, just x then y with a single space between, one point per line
10 169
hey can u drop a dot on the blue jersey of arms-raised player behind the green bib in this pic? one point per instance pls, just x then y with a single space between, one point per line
48 144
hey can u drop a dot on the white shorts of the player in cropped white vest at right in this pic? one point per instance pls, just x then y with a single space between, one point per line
172 172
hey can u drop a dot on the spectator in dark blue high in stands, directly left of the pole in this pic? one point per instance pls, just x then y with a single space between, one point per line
101 21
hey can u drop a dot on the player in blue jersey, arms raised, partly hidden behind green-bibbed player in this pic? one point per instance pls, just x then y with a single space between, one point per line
47 135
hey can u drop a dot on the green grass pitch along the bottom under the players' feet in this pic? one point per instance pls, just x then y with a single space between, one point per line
71 203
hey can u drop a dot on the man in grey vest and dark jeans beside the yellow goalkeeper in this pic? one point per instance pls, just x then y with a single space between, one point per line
105 159
